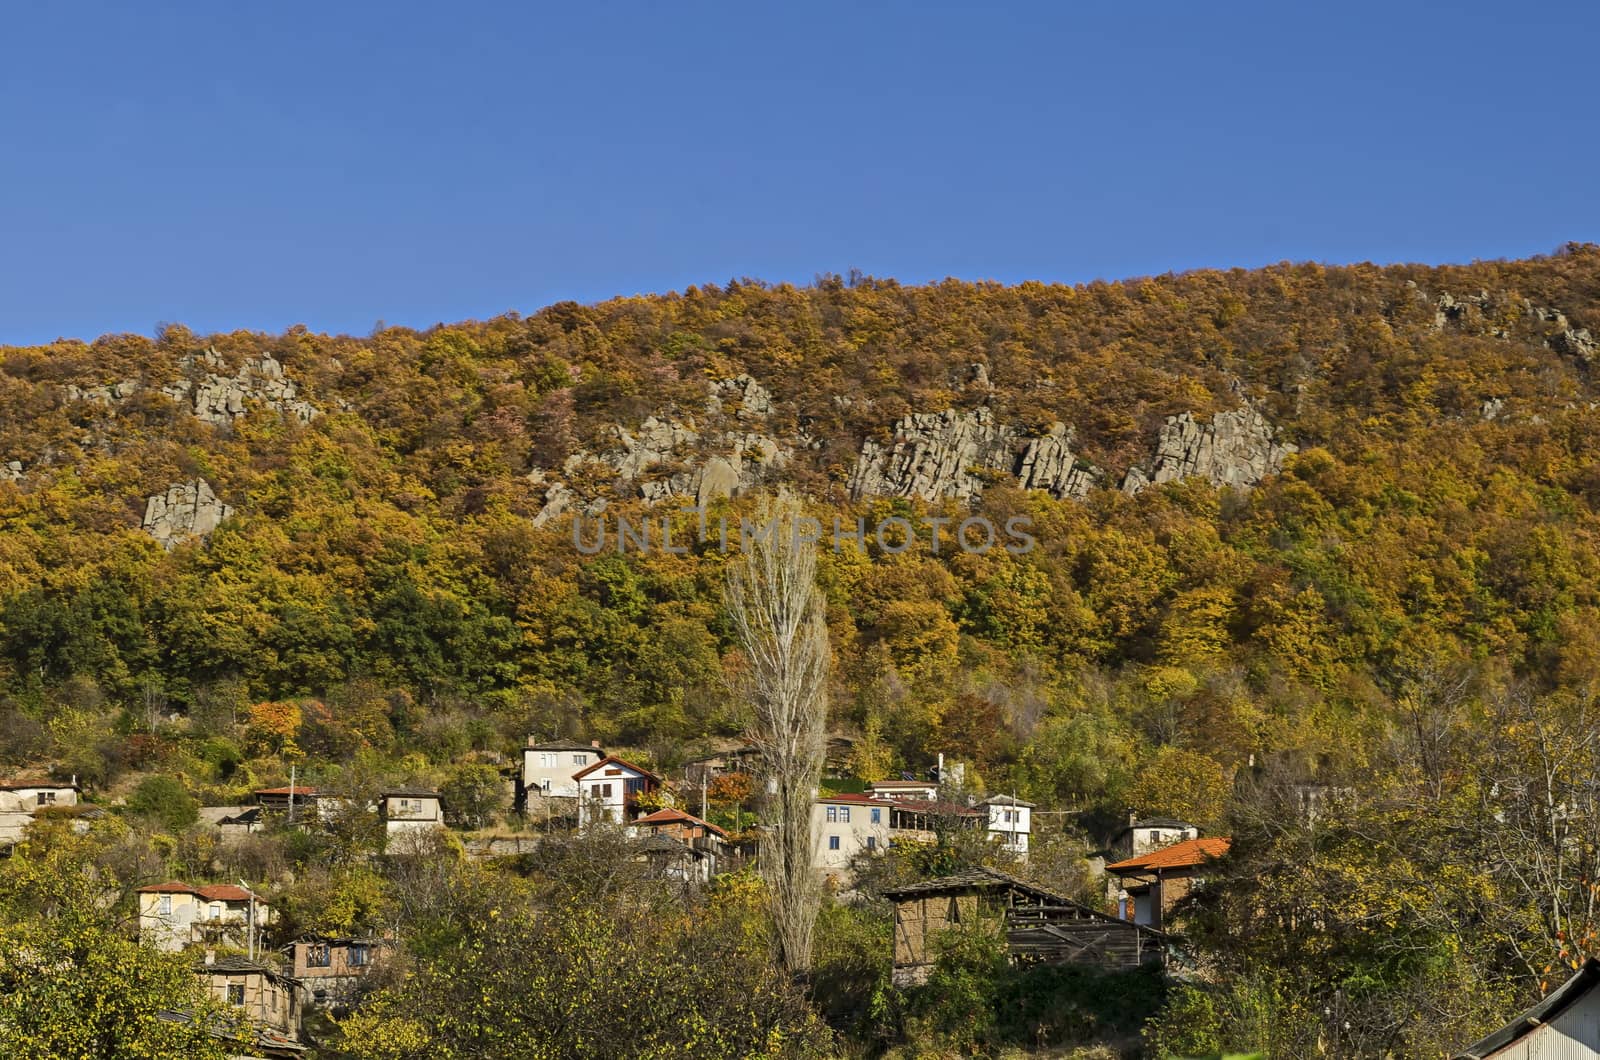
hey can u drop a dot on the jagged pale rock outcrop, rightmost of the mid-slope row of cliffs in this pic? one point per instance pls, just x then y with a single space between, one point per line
1236 449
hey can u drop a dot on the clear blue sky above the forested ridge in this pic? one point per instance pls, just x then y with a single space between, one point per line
335 164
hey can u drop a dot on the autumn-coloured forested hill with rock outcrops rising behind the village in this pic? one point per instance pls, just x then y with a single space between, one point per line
1353 478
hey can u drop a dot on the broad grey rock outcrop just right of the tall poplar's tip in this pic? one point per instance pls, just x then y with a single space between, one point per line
935 456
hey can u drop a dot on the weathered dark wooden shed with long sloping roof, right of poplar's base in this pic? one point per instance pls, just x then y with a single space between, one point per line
1039 925
